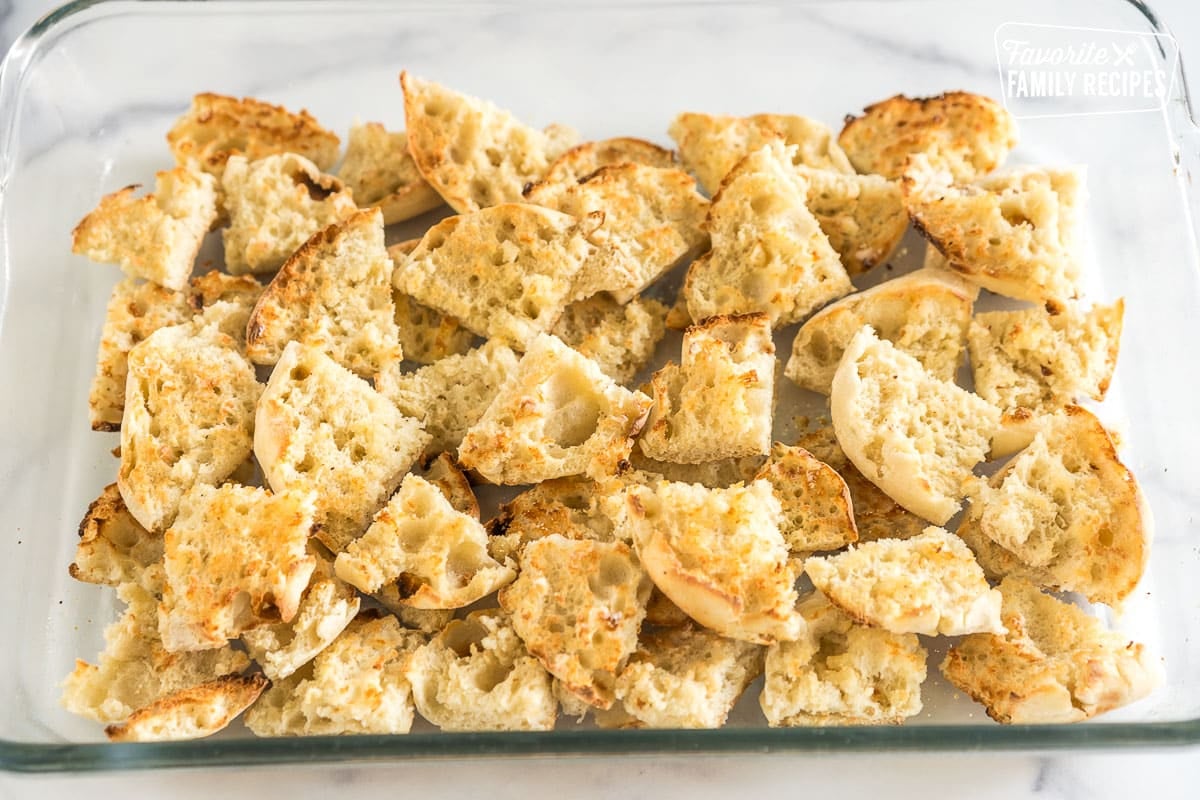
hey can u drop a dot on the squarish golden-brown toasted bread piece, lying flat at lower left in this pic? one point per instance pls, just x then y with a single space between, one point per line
236 558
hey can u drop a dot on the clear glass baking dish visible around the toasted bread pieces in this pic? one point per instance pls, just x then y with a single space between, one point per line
87 95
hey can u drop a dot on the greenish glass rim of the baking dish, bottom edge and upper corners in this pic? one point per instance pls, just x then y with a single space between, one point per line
35 757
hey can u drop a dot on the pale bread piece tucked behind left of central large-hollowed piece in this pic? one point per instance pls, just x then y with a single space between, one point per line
452 395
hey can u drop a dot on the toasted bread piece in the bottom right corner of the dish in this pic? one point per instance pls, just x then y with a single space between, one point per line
1055 665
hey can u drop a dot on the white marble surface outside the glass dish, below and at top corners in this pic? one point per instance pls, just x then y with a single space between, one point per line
1150 774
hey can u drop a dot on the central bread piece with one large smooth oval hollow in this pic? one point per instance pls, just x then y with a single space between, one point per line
559 416
